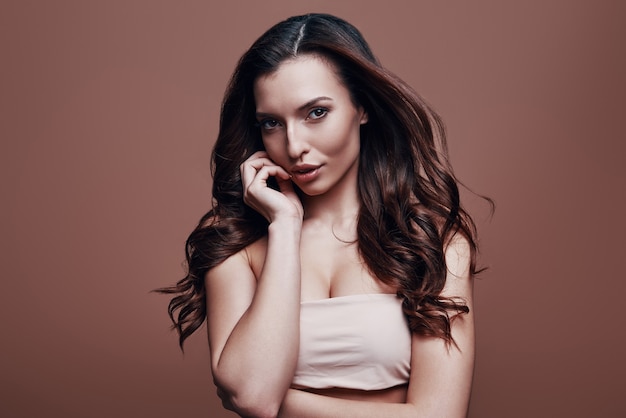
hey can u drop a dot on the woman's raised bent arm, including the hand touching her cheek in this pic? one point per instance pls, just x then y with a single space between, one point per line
253 322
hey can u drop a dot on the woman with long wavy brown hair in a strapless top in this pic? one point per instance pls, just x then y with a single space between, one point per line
335 268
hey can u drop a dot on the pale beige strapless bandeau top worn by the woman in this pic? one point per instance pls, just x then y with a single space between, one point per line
353 342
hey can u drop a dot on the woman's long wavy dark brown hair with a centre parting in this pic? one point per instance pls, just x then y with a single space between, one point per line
410 206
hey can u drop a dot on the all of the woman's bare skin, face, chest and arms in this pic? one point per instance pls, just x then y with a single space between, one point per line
310 128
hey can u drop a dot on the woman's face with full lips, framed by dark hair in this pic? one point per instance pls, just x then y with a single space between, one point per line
309 124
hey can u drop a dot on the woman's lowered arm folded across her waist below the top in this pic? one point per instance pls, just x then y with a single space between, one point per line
441 375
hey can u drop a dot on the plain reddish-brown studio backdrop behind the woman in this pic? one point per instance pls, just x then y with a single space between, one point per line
108 113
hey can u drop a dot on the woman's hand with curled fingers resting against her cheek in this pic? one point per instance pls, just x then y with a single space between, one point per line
272 204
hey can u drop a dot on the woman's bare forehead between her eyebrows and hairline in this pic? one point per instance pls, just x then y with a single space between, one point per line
297 81
